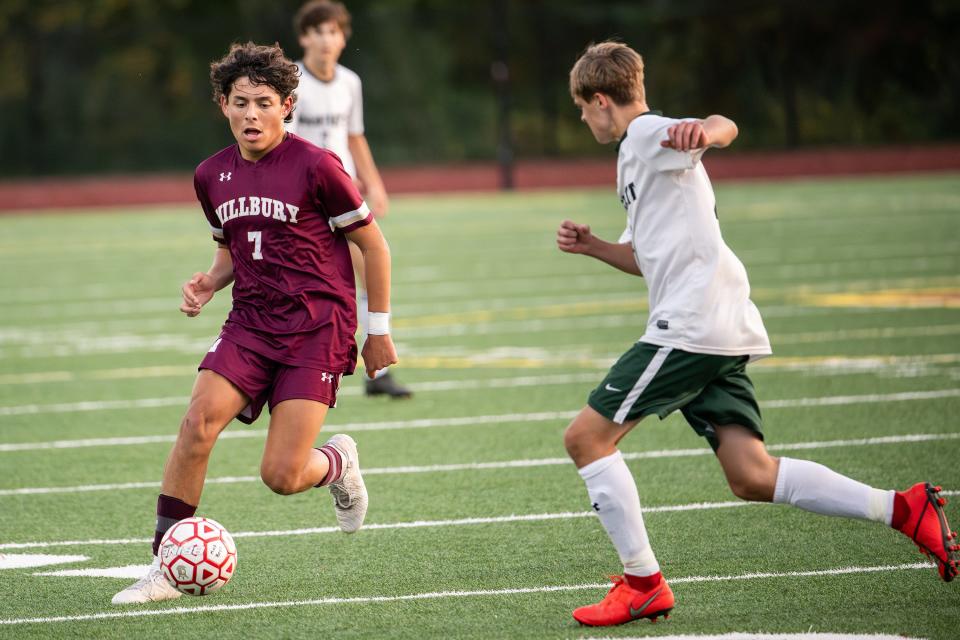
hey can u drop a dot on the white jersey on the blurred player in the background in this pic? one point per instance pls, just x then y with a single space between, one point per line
327 113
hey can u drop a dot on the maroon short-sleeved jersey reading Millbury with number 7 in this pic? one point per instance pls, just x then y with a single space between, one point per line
283 219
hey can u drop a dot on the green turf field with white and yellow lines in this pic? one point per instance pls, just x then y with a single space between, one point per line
478 527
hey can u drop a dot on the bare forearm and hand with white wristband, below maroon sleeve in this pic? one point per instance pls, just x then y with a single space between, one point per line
378 350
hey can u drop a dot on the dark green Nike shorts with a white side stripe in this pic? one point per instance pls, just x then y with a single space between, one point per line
709 390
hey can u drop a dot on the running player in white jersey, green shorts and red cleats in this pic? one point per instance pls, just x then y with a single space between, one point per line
701 332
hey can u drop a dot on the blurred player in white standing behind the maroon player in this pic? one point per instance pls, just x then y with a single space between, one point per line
330 114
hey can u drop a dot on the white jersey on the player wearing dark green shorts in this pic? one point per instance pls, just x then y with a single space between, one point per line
699 293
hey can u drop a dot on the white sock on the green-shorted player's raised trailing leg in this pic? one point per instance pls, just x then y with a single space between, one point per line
814 487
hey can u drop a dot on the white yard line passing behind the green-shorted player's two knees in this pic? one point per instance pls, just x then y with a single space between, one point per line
508 464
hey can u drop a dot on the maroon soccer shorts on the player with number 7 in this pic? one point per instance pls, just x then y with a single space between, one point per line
267 381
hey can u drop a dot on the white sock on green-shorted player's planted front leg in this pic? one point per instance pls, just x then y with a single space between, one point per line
613 494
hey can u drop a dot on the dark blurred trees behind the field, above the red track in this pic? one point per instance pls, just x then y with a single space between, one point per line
121 85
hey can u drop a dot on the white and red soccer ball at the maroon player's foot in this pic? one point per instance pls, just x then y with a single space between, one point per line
197 556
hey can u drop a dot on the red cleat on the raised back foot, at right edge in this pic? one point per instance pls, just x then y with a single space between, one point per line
927 526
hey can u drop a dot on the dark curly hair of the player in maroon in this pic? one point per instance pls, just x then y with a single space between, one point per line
261 64
